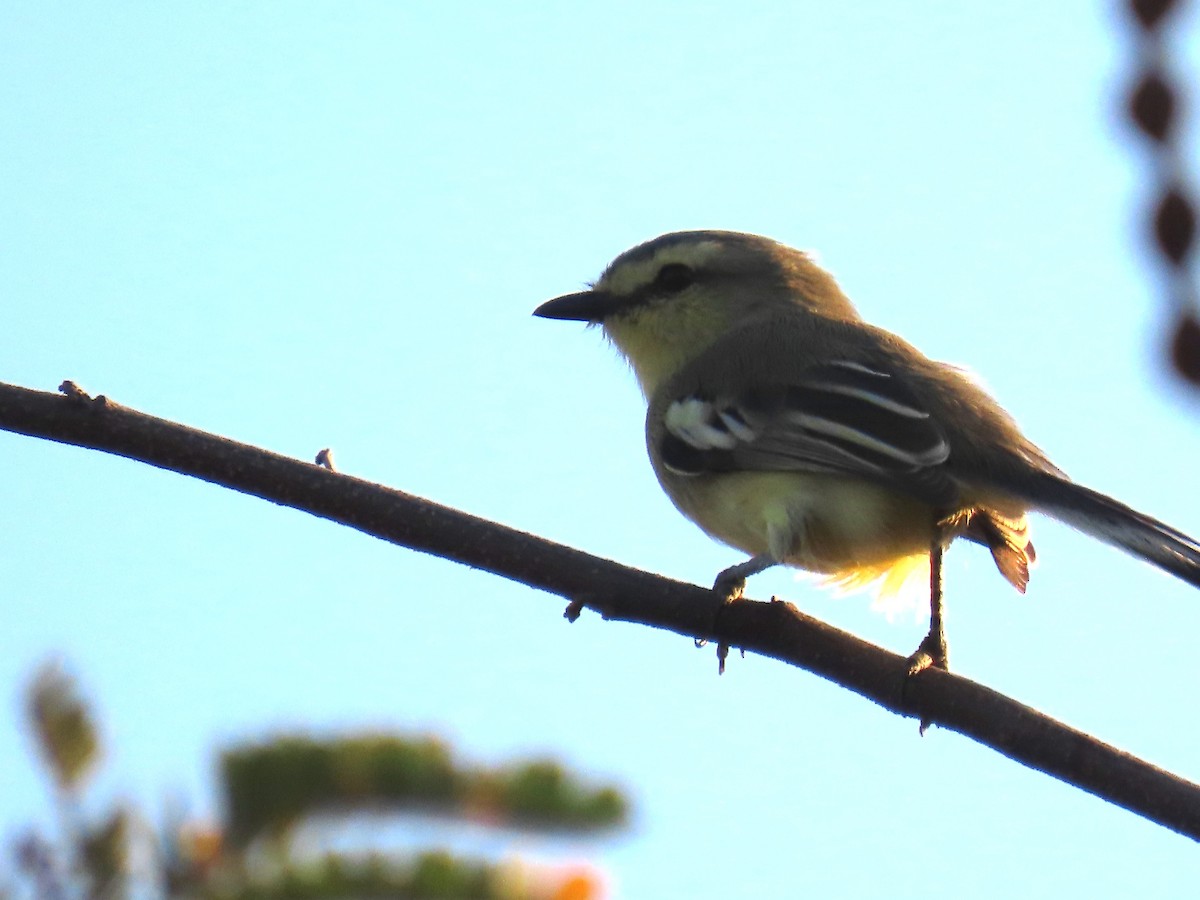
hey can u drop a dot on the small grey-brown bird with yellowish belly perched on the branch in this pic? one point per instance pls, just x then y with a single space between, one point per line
787 427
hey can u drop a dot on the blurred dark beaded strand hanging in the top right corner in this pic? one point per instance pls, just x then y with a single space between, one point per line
1155 111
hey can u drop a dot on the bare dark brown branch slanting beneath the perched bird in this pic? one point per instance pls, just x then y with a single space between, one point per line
620 593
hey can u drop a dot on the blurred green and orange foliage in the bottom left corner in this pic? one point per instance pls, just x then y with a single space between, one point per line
269 788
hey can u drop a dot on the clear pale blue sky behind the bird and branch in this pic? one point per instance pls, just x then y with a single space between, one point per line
326 225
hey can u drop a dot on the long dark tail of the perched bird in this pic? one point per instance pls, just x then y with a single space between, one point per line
1115 524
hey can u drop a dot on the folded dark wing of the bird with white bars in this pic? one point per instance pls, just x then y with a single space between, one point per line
841 418
